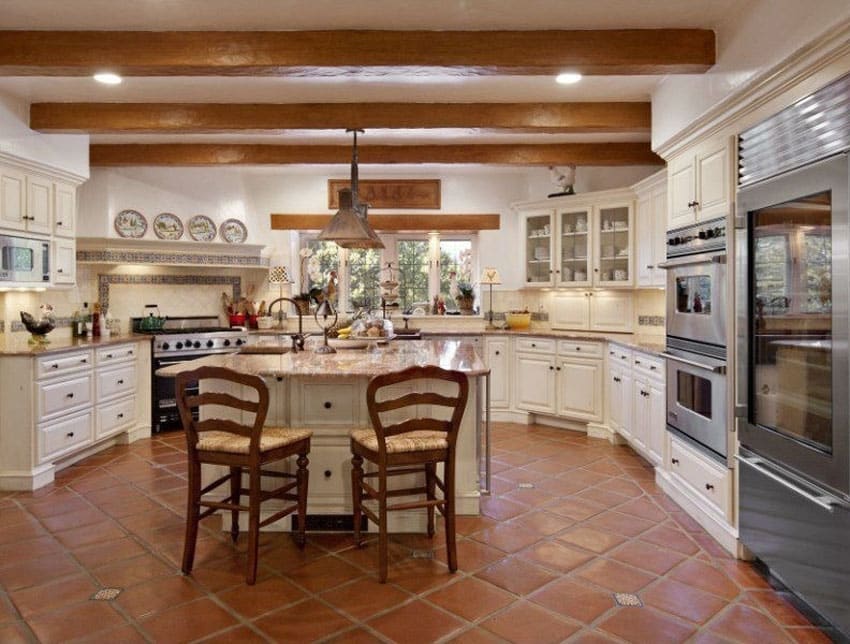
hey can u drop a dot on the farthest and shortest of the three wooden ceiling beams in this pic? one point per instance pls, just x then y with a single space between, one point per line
605 154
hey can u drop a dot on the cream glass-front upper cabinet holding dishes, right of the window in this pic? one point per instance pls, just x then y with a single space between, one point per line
580 244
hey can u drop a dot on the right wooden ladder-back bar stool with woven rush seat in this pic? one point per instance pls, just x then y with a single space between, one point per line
413 445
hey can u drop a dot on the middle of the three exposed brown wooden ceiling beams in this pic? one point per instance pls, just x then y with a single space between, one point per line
101 118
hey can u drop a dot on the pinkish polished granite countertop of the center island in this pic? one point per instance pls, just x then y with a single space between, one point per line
393 356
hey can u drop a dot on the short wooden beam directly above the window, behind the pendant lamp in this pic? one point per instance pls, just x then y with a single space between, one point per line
392 222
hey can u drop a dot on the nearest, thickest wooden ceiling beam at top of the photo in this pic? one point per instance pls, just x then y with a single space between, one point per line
252 53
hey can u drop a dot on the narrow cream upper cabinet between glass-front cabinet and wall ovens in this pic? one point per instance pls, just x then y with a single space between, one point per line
651 229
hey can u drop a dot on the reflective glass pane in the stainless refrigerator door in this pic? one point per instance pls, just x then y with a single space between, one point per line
791 325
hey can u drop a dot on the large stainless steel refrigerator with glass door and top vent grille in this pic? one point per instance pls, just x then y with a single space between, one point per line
793 384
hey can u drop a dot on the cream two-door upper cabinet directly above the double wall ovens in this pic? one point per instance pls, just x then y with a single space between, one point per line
700 183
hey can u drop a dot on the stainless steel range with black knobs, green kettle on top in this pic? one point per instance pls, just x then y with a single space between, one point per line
180 340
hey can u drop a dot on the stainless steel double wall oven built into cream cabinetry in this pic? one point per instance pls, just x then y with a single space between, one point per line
696 335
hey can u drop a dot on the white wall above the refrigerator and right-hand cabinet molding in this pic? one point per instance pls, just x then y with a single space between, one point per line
754 39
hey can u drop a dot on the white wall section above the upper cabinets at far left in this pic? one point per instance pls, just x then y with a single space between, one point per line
68 152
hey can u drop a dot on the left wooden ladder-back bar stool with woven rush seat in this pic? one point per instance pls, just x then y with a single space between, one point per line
244 447
